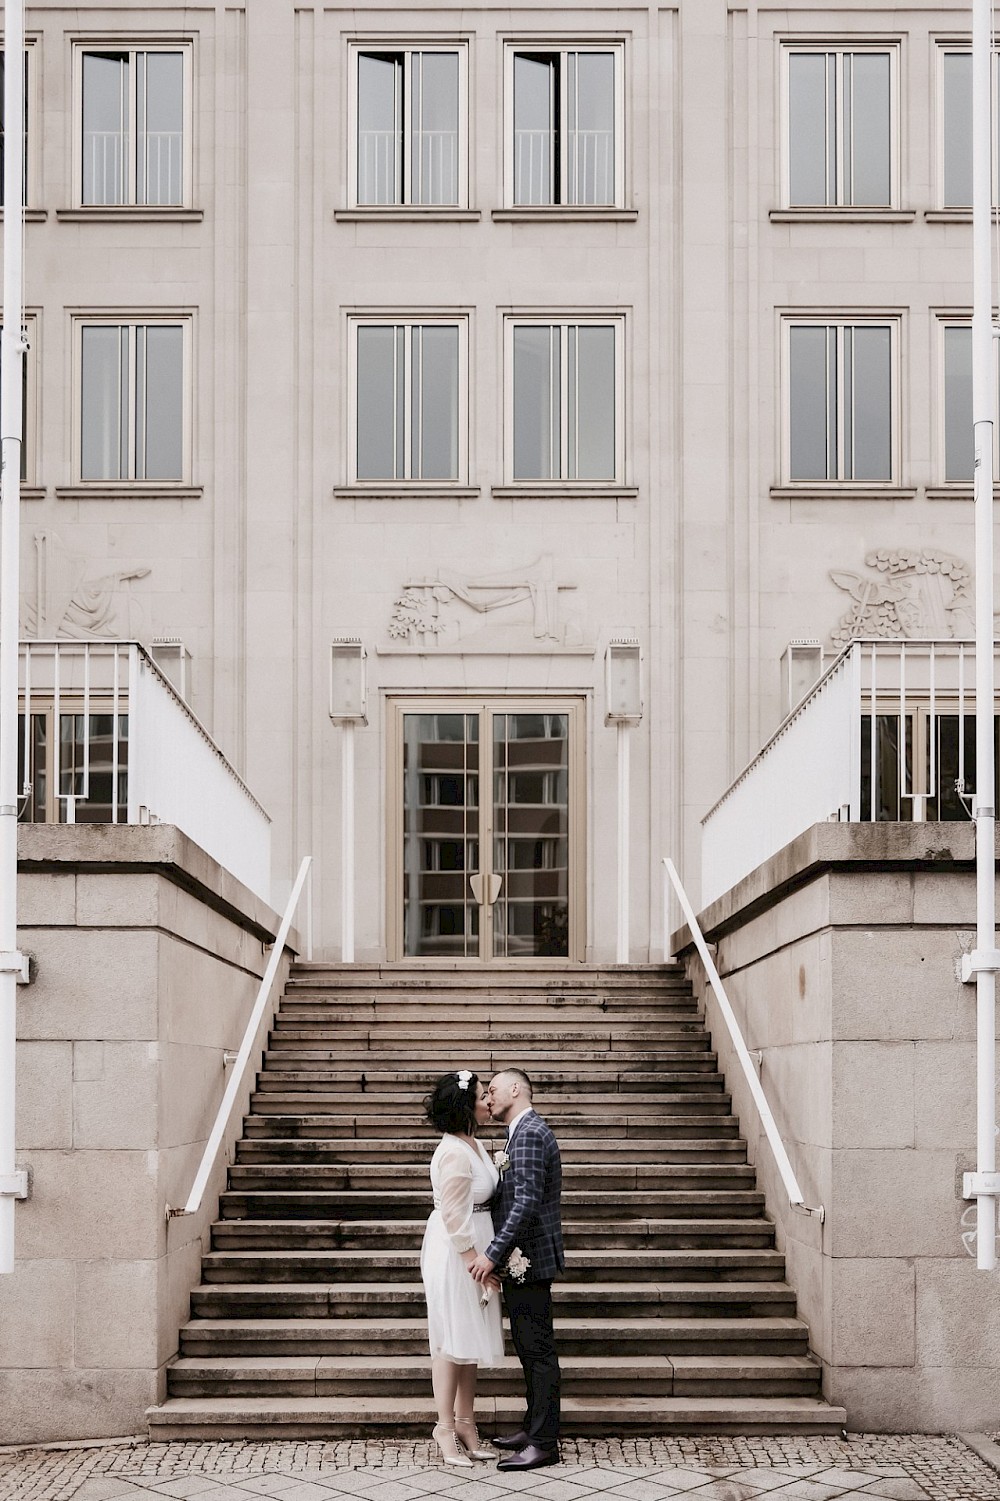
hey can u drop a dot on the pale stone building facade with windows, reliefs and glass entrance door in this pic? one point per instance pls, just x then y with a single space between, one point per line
486 338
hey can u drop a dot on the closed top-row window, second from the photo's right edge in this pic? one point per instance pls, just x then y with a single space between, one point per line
840 128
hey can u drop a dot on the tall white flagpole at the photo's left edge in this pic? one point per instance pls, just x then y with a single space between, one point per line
11 418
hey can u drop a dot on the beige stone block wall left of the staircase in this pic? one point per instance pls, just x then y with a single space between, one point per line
149 960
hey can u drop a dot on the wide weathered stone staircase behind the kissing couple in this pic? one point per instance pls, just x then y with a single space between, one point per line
673 1314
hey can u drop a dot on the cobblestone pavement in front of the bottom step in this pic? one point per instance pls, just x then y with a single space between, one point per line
876 1467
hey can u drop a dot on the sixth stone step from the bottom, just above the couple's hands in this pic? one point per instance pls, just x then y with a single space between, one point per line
745 1233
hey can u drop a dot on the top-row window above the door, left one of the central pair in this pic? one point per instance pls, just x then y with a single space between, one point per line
411 109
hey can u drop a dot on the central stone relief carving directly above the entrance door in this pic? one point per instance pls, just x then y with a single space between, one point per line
450 607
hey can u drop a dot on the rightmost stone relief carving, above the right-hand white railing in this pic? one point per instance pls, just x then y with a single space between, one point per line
914 595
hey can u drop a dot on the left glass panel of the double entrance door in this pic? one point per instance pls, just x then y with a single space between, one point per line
441 835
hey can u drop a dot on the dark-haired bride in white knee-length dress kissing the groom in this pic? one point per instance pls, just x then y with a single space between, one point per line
463 1332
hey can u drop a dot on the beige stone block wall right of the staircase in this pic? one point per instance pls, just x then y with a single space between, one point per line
840 958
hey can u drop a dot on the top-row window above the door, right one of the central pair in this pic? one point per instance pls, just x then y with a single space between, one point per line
565 139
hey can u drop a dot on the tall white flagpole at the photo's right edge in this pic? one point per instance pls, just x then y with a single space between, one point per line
984 408
